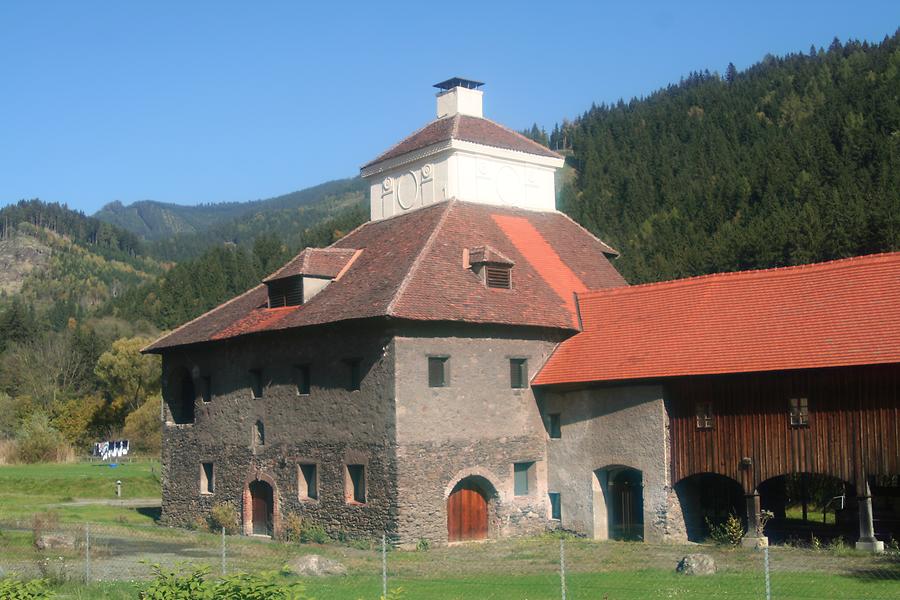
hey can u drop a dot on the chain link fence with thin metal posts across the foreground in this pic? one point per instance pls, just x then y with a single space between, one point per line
118 560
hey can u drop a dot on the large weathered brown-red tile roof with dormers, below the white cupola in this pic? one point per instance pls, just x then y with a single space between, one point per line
411 267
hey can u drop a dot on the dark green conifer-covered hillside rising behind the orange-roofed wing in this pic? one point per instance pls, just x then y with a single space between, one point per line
795 160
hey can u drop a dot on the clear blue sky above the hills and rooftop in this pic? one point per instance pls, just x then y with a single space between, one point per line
194 102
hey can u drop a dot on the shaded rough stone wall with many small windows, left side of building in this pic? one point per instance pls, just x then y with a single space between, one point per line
332 426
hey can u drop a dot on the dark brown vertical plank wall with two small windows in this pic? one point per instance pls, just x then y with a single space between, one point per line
854 424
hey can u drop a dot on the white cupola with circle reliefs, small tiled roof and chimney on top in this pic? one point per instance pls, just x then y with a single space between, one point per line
462 155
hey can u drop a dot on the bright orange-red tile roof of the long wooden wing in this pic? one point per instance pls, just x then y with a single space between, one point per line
839 313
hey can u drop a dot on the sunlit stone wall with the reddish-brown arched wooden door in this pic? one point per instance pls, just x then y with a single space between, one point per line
477 425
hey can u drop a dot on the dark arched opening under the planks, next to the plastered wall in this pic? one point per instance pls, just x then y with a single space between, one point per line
708 498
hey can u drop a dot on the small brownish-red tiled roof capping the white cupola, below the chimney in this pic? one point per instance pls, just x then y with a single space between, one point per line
469 129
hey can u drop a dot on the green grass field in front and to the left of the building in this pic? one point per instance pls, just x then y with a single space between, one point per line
126 539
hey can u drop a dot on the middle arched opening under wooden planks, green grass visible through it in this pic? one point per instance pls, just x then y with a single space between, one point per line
808 507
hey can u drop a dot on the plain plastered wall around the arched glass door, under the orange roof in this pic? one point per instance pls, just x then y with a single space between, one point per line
613 426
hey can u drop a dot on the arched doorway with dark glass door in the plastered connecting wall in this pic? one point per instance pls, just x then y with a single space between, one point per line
618 504
